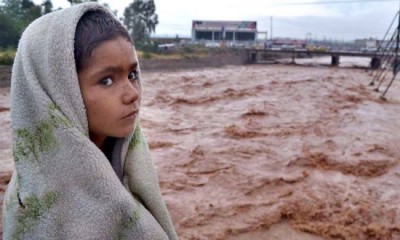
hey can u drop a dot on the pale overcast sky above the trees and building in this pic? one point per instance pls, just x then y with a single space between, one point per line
323 19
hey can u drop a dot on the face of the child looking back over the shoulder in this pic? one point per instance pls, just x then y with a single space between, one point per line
110 89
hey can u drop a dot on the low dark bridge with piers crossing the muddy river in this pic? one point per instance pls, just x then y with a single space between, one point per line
253 55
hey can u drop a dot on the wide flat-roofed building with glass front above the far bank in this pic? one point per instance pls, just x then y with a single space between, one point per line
230 31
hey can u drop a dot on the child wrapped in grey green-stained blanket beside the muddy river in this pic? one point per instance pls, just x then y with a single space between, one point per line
82 166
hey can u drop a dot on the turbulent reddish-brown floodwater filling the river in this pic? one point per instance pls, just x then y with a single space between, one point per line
269 151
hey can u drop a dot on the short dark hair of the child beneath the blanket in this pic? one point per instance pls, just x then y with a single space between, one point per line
94 28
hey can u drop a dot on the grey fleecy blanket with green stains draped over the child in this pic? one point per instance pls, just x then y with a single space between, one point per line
63 186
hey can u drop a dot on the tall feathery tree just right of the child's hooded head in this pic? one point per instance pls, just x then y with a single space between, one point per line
141 20
